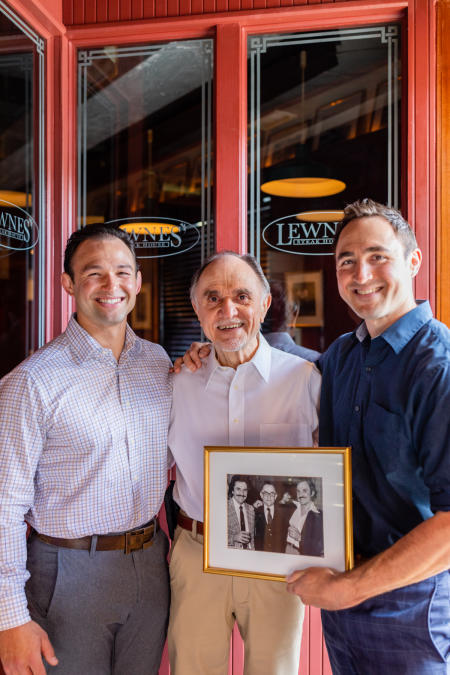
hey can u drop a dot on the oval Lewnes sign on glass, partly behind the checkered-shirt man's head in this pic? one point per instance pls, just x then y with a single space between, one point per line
159 237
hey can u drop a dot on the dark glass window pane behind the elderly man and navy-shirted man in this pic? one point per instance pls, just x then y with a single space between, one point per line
323 106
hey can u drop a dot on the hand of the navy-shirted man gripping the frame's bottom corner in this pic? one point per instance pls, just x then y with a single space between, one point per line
323 587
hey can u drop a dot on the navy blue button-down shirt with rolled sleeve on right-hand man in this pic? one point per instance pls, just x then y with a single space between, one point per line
389 398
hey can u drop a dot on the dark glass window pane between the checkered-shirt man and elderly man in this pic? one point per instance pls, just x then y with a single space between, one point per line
145 163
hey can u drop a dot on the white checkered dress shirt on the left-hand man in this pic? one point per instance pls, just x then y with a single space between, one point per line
83 447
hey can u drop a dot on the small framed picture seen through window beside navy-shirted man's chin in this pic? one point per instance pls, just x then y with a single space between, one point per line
305 289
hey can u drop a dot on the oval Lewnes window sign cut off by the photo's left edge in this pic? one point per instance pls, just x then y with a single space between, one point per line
18 230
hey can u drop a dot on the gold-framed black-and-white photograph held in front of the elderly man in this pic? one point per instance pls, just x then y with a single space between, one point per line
270 511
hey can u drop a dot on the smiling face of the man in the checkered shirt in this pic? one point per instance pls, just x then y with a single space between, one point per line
104 284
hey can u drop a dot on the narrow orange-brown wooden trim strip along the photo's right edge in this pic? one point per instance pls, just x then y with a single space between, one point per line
443 162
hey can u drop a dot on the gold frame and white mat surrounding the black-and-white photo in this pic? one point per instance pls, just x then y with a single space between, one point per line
331 466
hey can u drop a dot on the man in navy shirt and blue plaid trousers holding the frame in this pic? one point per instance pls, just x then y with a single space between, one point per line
386 392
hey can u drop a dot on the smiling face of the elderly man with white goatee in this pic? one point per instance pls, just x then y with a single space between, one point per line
231 304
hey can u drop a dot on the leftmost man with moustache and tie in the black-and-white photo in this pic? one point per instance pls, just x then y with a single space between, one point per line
241 516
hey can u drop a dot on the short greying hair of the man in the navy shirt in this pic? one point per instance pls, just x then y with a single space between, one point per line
367 208
